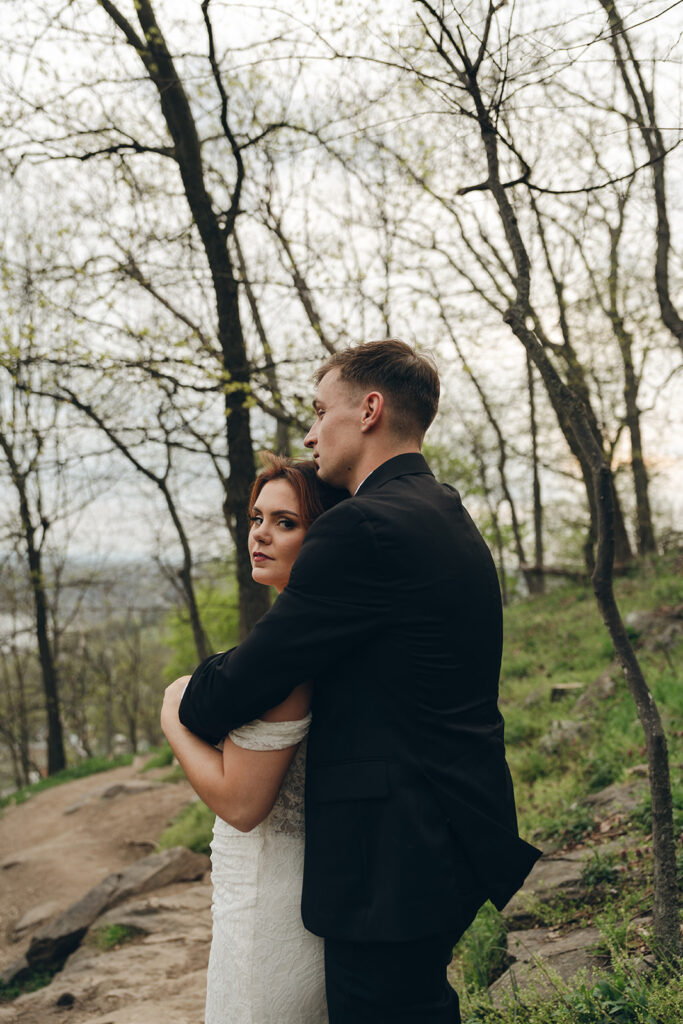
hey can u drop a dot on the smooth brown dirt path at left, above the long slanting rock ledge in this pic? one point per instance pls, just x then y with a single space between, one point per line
50 855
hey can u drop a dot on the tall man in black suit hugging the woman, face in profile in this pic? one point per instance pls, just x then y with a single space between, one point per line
394 610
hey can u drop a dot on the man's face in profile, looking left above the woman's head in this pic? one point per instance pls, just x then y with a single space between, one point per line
336 438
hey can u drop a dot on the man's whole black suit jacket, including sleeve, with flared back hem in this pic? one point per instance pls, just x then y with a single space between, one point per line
394 611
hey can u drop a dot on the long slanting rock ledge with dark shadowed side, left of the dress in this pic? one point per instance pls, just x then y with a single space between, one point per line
61 936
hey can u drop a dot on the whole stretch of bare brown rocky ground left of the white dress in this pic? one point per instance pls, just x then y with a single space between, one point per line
82 851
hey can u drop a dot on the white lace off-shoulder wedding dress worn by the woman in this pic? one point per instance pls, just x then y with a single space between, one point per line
265 967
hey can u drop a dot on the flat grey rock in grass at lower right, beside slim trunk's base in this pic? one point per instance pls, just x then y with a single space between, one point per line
541 955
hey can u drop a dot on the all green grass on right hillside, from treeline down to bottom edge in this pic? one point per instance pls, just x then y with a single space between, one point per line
561 638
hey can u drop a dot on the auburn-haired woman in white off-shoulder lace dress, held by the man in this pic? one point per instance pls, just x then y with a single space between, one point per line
265 968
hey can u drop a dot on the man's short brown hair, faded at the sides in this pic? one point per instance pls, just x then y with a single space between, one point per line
408 379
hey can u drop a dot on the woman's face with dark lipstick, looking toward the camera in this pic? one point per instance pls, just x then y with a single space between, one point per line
277 534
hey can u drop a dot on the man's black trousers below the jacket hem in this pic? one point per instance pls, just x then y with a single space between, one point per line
393 983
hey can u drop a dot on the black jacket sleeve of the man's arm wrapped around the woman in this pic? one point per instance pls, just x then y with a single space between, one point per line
334 600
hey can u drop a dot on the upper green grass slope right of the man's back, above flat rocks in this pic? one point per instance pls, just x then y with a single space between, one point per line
562 638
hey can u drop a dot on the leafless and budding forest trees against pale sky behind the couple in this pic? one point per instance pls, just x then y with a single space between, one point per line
202 200
